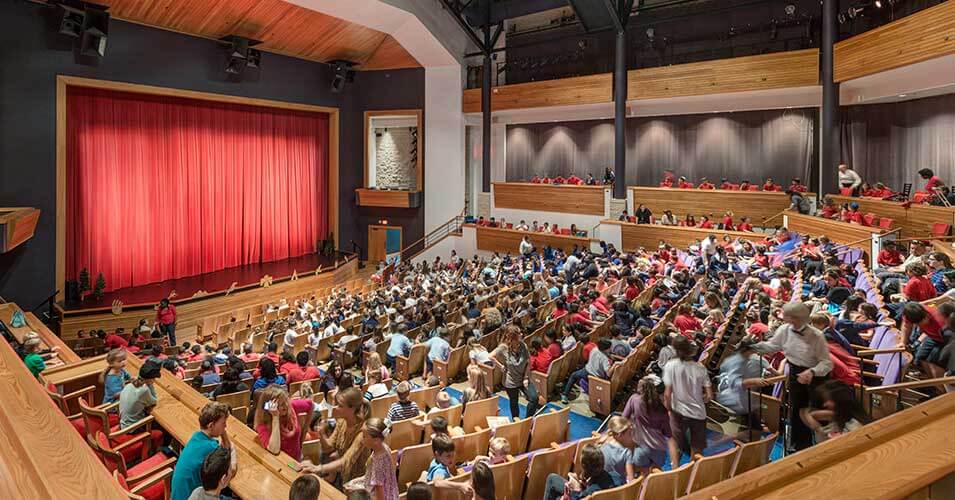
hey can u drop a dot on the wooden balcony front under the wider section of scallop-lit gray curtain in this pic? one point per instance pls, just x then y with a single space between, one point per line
757 205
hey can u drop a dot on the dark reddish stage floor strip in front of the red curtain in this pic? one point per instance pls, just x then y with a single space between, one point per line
210 282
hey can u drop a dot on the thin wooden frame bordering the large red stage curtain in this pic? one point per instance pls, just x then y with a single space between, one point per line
63 82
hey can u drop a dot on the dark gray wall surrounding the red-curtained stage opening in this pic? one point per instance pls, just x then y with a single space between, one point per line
32 56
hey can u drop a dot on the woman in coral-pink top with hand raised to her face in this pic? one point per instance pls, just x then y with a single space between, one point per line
276 421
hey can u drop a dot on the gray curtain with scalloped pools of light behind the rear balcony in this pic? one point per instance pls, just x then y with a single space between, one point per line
750 145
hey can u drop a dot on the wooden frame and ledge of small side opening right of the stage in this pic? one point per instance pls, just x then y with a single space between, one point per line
367 196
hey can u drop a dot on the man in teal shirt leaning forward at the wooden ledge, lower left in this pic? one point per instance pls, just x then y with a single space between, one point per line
212 425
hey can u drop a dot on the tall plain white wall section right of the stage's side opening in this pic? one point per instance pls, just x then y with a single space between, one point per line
443 146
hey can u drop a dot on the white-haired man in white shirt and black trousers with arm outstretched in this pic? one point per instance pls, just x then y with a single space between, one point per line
807 353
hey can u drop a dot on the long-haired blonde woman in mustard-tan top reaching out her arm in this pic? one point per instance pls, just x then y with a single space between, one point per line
350 458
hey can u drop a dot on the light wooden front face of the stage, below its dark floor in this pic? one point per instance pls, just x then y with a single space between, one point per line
191 313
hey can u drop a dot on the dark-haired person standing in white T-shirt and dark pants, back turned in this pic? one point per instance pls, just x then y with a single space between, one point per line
688 391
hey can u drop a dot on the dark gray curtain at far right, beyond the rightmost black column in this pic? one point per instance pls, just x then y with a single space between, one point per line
890 142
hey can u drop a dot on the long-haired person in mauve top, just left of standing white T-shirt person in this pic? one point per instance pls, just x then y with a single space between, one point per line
651 432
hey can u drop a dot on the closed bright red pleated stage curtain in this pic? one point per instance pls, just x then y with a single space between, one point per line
161 187
